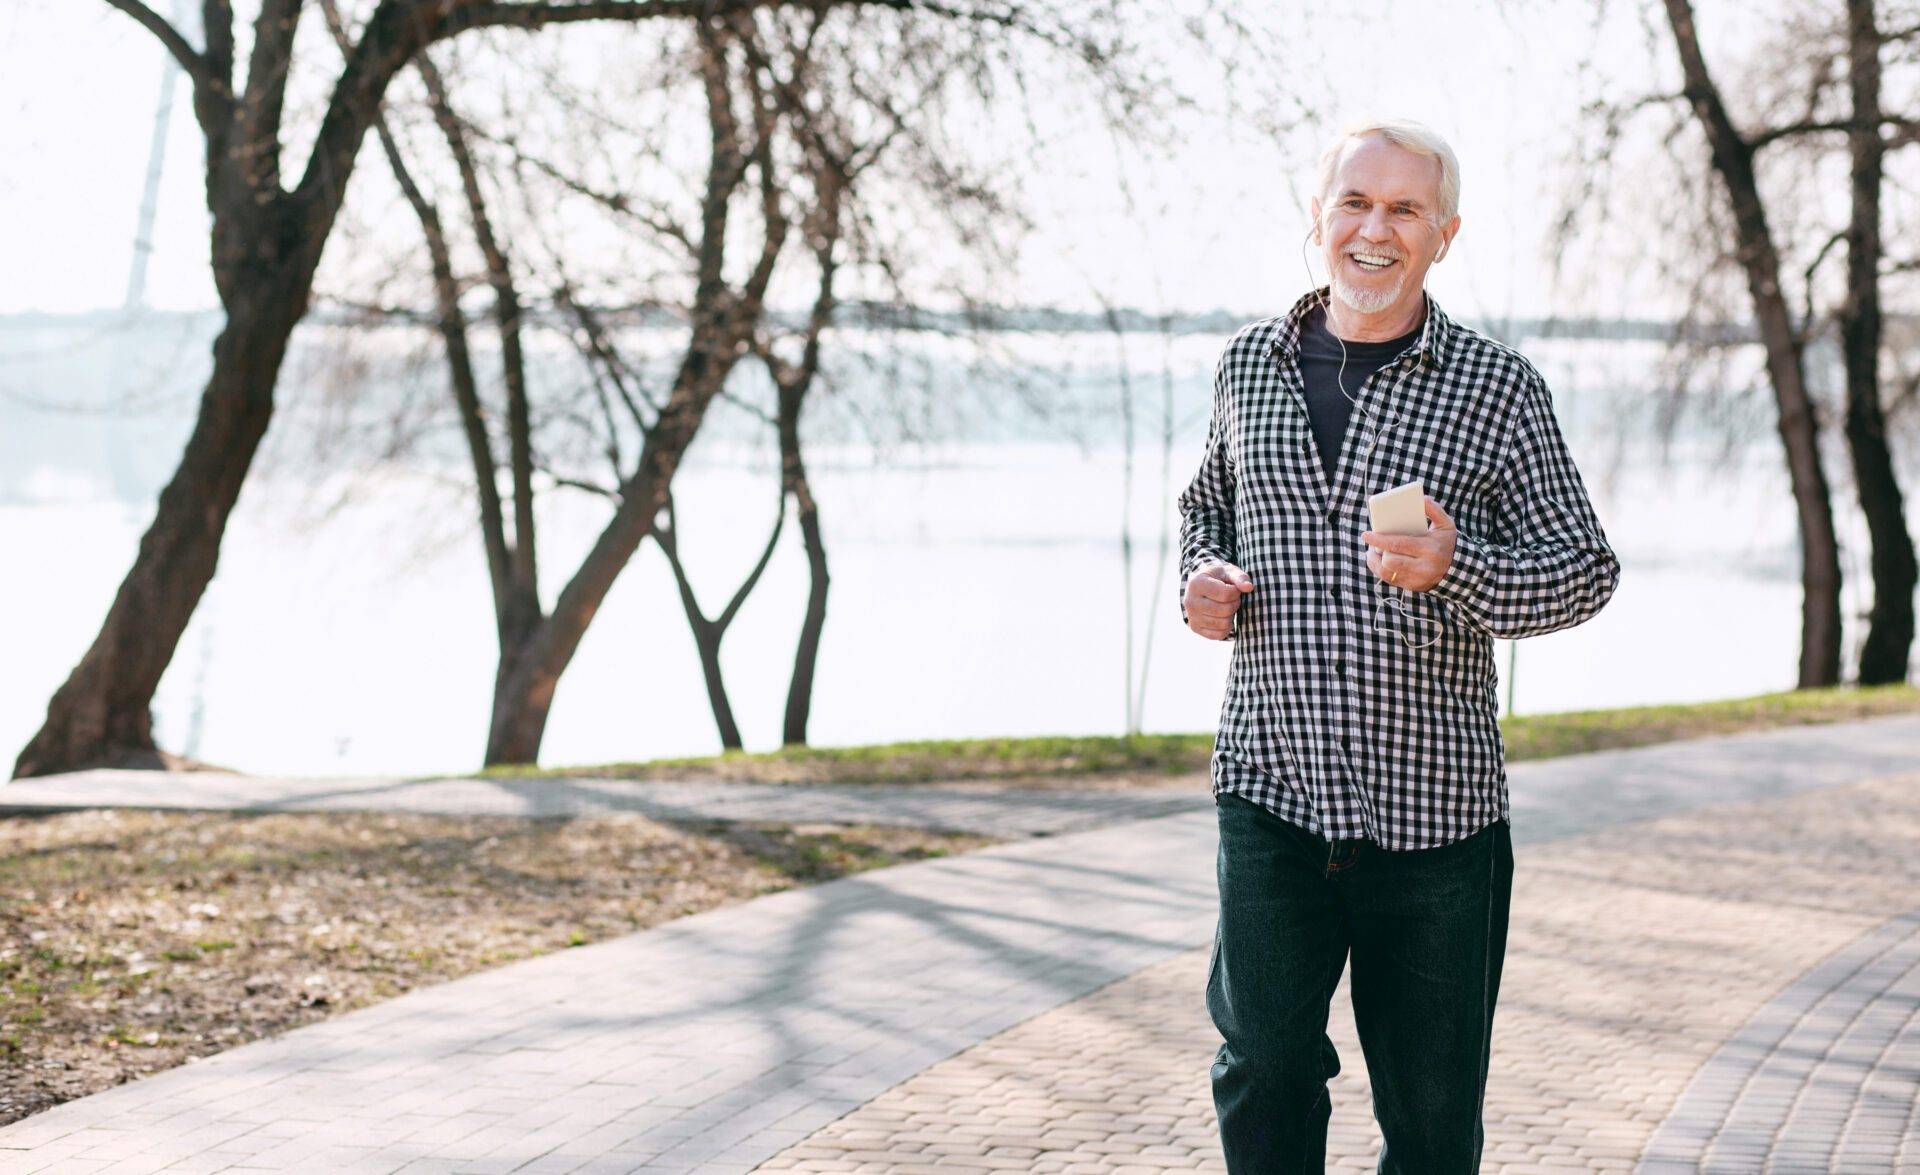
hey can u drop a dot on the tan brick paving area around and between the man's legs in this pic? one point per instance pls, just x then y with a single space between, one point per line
1633 955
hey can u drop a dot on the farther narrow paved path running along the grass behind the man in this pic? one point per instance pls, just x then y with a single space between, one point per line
1550 798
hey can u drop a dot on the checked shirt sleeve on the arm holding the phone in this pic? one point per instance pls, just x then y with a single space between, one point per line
1545 564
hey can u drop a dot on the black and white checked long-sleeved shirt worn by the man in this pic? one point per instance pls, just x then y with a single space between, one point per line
1356 707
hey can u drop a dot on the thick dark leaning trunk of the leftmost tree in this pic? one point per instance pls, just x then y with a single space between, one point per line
266 247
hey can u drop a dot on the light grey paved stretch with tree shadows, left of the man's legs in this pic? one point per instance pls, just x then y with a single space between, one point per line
715 1040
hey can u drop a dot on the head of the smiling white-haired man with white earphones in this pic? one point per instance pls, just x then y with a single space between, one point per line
1380 229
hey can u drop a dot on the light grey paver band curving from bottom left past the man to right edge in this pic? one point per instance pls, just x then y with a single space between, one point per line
719 1042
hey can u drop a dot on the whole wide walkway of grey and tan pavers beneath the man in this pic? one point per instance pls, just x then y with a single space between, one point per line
1712 967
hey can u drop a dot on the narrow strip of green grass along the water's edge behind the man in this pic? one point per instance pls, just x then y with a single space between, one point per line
1151 759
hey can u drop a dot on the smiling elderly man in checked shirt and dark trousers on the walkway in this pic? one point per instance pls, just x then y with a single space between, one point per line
1358 773
